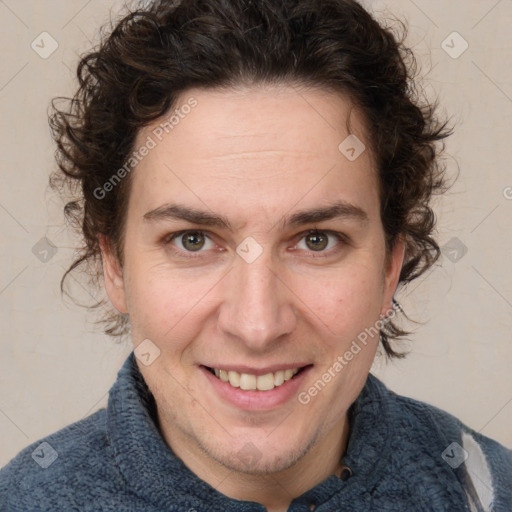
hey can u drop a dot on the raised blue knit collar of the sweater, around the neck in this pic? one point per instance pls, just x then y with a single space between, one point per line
156 475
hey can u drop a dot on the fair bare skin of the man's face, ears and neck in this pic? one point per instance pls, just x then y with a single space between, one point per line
255 155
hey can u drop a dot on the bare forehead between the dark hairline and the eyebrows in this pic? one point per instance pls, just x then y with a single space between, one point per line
258 148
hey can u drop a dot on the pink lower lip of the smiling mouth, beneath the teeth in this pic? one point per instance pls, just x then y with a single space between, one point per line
257 400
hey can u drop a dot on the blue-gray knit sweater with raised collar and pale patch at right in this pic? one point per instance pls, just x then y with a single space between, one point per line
400 452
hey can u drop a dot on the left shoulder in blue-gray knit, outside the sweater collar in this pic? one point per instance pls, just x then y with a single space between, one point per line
60 468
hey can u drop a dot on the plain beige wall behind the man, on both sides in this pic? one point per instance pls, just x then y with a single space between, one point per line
55 368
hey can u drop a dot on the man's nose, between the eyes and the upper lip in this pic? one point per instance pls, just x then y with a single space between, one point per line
257 308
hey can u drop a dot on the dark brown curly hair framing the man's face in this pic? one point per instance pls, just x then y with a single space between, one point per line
162 48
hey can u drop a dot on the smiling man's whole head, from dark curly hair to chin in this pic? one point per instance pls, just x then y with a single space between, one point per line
255 184
